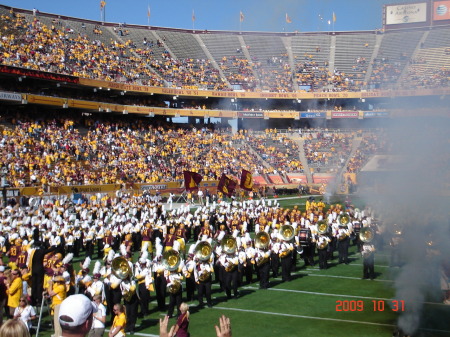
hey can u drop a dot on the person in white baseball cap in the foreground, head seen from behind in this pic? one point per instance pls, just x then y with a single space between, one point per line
76 316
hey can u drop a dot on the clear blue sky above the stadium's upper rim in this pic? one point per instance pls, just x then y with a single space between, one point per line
259 15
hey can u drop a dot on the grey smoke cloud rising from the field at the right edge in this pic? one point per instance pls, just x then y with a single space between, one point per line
410 198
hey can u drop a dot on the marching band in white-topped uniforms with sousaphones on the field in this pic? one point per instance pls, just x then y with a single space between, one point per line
166 263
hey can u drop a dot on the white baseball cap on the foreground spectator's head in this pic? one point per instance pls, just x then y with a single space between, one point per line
75 310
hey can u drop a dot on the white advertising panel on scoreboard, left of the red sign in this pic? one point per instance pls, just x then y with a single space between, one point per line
406 13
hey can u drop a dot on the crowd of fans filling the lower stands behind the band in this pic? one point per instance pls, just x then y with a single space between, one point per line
59 151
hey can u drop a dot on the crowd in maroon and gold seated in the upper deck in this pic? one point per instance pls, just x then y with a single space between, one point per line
31 44
